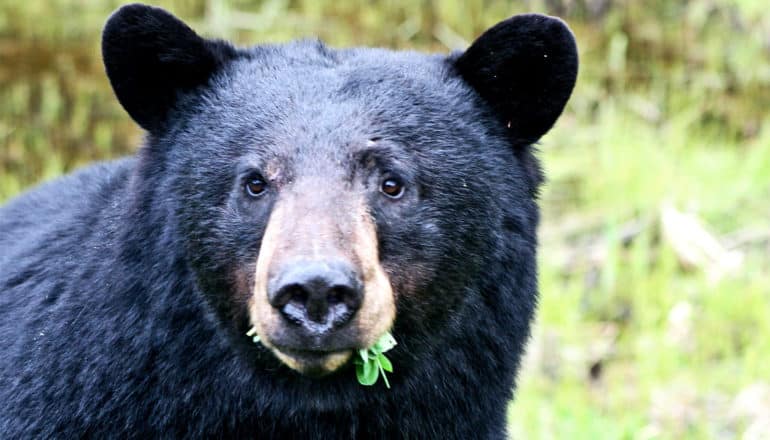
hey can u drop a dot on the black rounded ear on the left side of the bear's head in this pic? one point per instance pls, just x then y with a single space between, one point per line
150 56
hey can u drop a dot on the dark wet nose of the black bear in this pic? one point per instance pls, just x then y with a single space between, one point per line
318 296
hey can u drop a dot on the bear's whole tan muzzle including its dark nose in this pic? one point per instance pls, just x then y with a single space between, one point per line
320 291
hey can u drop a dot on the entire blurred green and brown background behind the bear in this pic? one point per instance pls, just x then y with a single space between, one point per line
655 270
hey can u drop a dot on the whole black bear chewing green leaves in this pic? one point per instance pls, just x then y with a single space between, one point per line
322 197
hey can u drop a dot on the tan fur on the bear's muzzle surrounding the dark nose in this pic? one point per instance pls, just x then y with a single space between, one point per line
308 229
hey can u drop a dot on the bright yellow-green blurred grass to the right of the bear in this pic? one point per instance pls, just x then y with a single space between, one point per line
657 372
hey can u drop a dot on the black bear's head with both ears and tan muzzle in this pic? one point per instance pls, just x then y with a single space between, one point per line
325 196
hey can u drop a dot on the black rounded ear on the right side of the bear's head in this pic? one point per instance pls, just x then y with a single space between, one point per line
525 68
